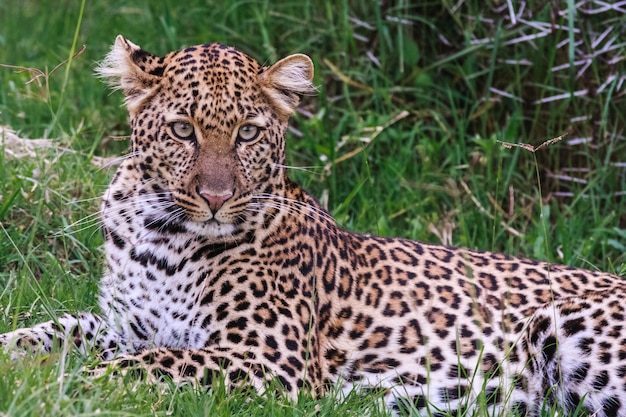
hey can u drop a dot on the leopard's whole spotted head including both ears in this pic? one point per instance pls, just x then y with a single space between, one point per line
208 128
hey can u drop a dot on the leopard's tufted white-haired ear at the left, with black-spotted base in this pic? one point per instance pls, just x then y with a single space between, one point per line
129 68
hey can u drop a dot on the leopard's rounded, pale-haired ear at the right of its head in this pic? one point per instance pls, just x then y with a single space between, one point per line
287 80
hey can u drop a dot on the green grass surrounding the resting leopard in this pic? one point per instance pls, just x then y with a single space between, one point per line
401 140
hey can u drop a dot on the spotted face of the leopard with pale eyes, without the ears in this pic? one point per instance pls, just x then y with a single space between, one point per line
210 136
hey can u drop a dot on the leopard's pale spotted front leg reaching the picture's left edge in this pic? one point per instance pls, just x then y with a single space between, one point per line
83 331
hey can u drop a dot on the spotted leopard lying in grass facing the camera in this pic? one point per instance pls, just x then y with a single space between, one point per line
220 266
